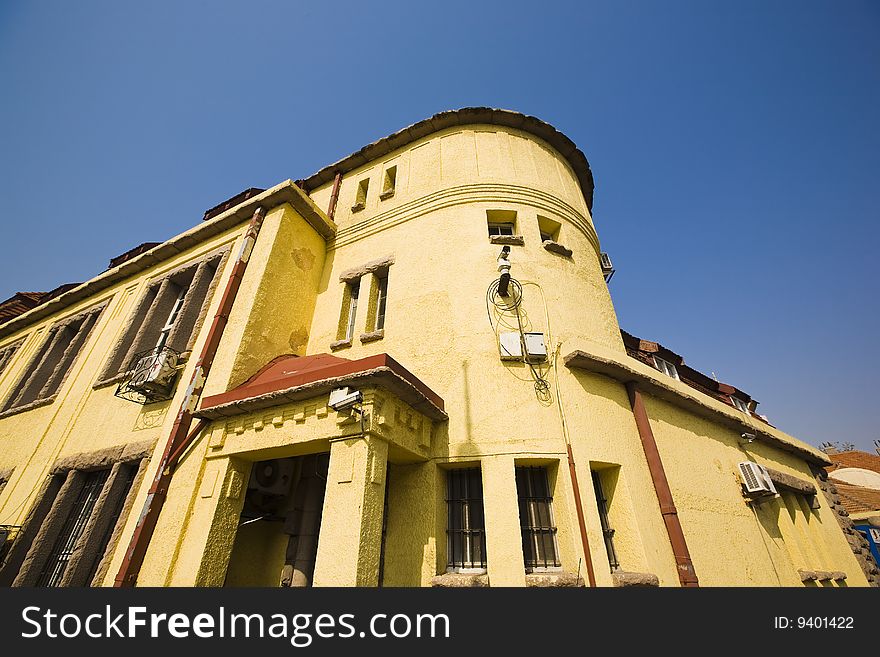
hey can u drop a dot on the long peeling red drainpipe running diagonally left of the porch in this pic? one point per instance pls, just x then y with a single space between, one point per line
180 435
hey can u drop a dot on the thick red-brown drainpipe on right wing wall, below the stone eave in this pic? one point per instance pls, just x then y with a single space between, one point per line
686 573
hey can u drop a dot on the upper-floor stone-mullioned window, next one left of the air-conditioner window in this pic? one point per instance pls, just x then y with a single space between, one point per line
49 367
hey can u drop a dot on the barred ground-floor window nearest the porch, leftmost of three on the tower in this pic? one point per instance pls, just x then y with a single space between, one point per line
466 527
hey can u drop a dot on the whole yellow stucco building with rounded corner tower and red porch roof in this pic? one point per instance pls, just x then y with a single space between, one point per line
404 370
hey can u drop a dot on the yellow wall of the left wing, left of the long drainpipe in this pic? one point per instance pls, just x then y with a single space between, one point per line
83 418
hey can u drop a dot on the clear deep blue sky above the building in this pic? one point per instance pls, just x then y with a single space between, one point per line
735 147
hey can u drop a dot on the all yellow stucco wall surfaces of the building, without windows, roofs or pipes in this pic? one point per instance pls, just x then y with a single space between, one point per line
434 229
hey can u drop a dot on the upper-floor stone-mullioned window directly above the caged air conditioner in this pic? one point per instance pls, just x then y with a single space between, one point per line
167 315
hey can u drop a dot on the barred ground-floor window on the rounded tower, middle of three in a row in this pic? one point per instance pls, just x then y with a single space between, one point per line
536 518
